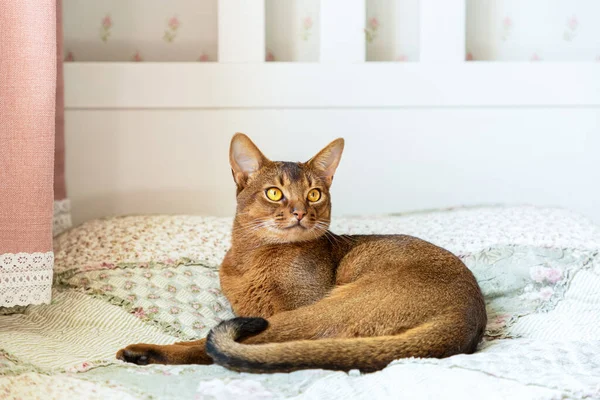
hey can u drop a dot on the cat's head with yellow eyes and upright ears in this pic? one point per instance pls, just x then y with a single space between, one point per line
282 202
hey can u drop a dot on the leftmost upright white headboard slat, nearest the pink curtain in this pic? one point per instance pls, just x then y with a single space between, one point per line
241 31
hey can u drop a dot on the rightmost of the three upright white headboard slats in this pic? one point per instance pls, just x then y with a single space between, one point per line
442 31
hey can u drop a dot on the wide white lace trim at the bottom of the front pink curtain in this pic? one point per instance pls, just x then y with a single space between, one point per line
25 278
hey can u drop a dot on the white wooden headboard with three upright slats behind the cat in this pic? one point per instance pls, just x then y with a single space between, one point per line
153 137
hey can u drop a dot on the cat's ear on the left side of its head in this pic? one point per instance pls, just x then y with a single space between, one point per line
245 159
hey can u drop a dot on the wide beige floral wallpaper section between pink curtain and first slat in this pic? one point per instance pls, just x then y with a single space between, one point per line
140 30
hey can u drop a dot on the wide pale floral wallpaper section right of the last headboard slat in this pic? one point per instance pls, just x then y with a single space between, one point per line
533 30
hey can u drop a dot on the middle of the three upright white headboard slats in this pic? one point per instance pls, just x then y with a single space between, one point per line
342 31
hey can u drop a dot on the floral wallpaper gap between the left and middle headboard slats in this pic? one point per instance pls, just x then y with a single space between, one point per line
292 30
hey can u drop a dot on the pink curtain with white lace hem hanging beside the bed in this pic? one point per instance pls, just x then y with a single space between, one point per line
28 122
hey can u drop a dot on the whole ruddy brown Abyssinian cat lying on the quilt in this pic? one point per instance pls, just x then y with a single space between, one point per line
307 298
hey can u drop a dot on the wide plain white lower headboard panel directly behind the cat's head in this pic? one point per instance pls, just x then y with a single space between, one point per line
175 161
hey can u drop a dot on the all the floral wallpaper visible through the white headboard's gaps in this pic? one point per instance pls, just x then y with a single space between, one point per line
186 30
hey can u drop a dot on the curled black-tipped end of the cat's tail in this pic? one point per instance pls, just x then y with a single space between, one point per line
234 329
